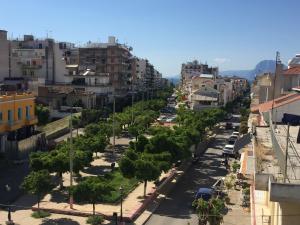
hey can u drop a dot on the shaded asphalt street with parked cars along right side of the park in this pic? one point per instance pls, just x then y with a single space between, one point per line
176 208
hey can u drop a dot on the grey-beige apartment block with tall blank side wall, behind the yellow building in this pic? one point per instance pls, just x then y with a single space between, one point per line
39 61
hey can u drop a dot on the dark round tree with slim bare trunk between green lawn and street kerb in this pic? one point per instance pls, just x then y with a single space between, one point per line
146 171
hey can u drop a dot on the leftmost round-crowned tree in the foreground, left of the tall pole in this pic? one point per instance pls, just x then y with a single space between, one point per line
38 183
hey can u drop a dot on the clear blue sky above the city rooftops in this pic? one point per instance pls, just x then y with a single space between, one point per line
233 34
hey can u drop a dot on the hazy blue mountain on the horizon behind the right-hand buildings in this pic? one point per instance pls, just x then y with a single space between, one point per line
263 66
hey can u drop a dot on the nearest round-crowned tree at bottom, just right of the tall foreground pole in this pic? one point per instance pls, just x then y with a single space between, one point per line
92 190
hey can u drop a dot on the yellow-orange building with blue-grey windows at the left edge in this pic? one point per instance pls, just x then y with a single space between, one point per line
17 117
